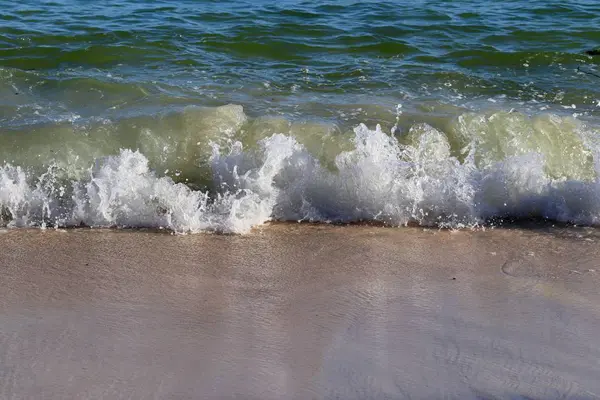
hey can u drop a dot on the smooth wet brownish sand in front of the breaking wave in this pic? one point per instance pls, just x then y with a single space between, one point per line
301 312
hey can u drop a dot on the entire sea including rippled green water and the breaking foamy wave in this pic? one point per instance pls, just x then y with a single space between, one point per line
228 114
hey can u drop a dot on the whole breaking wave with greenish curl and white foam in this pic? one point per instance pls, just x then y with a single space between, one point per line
500 165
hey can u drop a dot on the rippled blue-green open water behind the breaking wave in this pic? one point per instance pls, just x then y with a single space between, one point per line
80 59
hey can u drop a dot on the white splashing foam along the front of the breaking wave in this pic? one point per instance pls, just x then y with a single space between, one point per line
380 180
